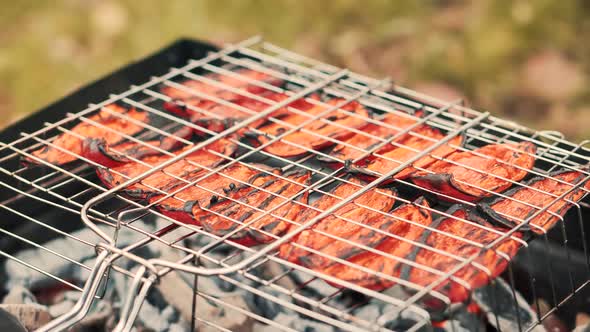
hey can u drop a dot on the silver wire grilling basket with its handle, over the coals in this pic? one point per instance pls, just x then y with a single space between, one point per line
301 77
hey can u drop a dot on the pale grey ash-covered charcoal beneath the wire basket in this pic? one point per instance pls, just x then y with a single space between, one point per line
162 312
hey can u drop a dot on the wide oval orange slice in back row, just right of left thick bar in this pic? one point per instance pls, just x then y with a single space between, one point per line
333 125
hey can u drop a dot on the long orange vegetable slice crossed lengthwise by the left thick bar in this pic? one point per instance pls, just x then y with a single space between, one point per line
210 156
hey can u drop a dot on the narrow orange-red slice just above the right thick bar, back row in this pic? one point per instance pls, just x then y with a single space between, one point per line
362 143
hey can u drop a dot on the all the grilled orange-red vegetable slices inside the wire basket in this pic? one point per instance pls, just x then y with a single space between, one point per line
471 212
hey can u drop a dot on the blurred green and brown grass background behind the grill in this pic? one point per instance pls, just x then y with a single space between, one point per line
524 60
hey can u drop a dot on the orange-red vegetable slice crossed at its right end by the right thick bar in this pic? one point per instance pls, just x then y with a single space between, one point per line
404 150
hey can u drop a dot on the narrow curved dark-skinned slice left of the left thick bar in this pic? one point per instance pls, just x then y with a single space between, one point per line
97 149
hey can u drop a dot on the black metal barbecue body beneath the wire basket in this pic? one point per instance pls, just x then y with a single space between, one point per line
178 54
